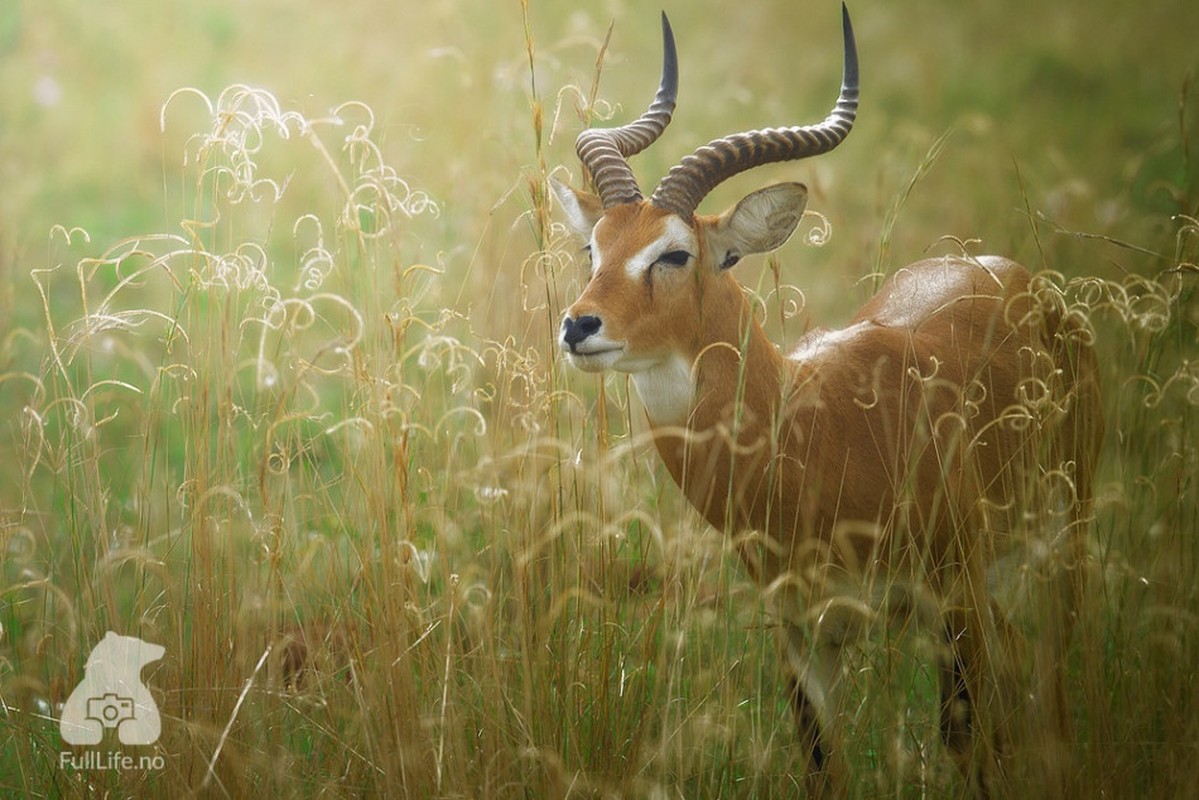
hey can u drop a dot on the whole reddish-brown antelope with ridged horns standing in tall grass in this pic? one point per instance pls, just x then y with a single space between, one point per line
937 450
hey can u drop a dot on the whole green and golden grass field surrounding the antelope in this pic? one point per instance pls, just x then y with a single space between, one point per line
279 293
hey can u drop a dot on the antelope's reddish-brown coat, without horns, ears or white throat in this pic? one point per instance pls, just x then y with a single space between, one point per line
914 446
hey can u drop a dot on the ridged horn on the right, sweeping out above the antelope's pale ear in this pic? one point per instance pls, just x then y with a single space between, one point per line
695 177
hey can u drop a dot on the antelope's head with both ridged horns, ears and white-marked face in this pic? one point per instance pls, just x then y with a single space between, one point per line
660 286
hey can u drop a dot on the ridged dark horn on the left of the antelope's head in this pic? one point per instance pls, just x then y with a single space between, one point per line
605 152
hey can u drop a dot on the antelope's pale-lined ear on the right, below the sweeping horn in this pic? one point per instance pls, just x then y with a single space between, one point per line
763 221
